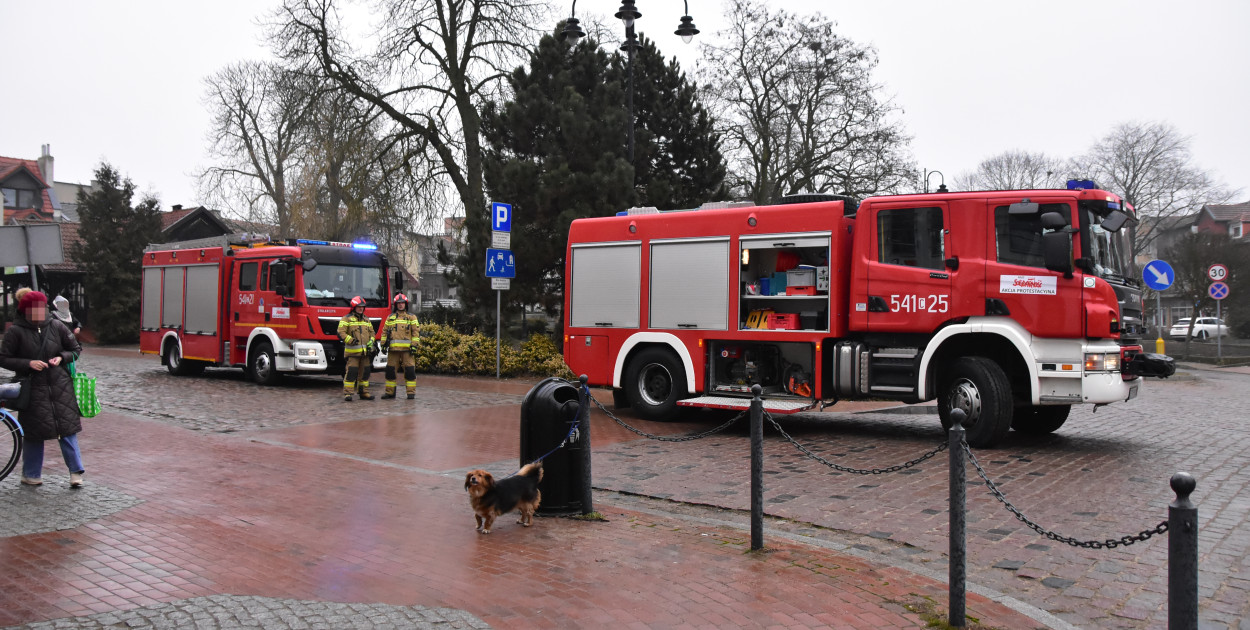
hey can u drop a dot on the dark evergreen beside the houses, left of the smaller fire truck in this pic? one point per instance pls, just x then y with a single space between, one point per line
113 236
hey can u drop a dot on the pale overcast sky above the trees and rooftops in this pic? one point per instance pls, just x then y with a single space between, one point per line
123 81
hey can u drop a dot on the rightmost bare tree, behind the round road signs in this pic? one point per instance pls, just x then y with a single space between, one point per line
1151 166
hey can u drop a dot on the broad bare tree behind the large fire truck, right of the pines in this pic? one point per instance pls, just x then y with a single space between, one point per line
799 111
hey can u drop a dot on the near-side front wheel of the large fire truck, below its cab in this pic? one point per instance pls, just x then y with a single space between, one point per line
979 387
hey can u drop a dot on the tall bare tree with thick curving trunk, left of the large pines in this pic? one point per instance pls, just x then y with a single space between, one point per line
436 66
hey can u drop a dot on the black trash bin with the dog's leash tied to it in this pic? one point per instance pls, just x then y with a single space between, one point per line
548 413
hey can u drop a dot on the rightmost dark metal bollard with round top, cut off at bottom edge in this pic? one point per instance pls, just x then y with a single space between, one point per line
1183 556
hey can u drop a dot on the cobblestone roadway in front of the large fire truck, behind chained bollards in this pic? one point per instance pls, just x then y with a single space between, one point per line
1102 477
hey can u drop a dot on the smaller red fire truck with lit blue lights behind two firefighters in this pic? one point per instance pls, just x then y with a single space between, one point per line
269 308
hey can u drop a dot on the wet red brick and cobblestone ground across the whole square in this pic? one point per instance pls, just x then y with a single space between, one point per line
216 503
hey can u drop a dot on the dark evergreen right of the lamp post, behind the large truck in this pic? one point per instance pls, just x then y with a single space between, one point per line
677 152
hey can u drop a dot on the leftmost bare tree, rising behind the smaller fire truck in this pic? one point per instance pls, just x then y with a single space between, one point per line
259 121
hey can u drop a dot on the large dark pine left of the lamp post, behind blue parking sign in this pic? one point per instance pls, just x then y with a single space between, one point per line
556 152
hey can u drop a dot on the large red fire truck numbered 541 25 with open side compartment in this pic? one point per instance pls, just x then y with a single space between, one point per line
1011 306
